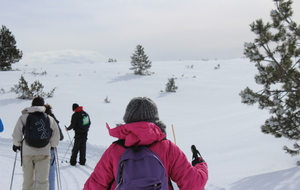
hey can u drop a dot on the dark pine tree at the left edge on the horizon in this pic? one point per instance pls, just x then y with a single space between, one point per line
9 53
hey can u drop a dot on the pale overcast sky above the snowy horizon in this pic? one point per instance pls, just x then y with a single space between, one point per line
167 29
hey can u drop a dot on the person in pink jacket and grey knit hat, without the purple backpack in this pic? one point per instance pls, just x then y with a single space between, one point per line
143 127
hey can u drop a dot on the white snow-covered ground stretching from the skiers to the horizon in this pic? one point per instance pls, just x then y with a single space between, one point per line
206 111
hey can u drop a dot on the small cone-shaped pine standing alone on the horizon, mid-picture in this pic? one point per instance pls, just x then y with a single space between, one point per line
139 61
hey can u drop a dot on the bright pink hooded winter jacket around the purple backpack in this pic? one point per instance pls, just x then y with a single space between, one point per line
178 168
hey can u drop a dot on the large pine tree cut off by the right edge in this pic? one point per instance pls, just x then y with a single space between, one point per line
276 52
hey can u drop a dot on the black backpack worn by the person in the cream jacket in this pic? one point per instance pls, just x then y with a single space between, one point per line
37 131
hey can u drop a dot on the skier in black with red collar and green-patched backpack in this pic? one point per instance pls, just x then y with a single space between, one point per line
81 133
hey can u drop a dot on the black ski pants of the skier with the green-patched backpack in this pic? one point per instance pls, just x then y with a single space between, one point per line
79 146
